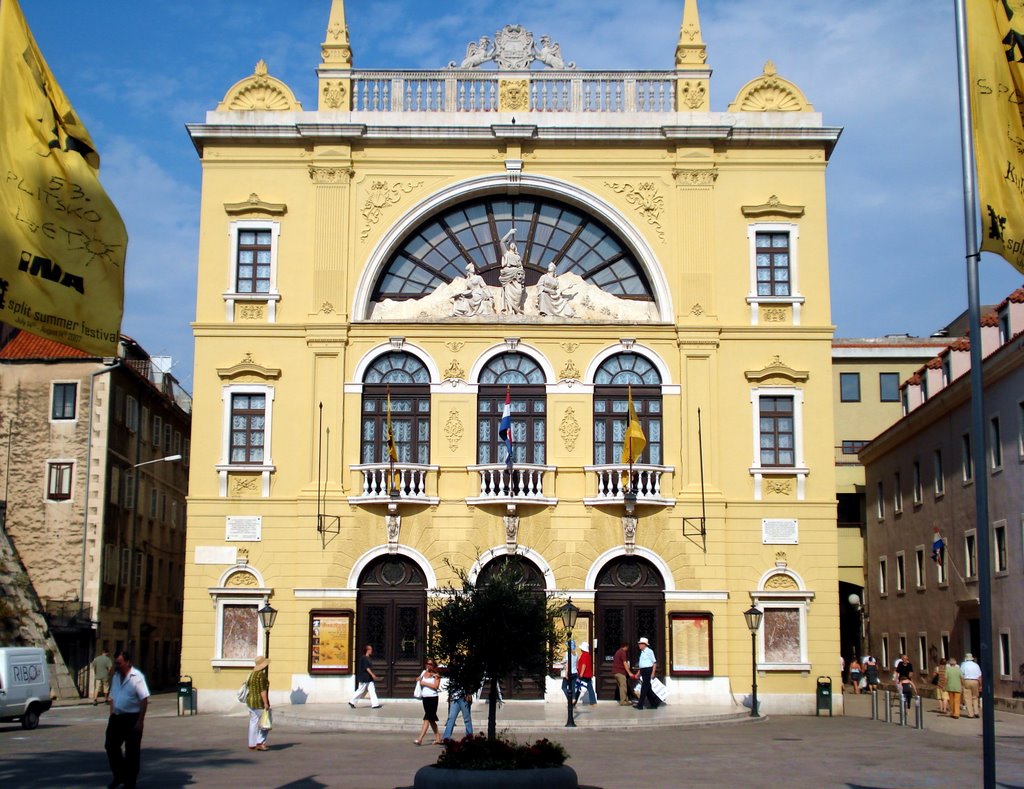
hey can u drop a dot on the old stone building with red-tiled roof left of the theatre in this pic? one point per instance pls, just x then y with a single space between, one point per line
95 512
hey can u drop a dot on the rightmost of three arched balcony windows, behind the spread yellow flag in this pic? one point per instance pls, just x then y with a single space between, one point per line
612 386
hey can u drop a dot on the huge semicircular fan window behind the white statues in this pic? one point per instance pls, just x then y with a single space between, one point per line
546 231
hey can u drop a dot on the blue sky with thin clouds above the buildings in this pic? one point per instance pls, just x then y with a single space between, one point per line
884 71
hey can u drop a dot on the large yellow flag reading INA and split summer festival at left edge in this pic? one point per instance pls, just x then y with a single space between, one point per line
62 241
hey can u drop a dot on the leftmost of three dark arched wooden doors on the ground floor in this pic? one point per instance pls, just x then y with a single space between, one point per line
392 615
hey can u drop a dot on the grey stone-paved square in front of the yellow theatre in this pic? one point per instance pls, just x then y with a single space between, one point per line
798 753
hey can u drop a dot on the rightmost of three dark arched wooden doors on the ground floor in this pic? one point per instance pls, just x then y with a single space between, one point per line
629 604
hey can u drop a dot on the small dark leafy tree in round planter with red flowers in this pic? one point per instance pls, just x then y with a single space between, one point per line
499 629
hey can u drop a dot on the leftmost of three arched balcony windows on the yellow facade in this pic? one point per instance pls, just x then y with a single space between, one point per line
409 383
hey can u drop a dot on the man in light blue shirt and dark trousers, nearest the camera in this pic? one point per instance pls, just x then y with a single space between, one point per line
130 699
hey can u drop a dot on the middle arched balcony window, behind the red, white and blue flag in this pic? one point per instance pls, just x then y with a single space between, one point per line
525 381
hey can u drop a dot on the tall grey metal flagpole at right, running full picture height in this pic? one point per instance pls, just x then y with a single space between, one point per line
977 402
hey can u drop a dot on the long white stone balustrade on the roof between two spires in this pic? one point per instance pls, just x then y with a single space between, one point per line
482 92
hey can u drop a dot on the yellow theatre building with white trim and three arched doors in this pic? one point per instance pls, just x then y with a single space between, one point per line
423 245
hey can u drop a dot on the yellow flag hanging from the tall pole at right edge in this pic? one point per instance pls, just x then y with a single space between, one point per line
996 66
